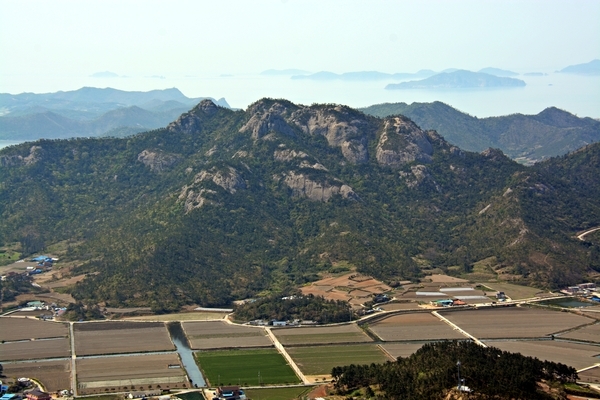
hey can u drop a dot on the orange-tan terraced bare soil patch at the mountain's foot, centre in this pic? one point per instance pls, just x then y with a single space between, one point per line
352 287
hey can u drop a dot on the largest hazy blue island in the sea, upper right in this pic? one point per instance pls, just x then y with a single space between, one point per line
460 79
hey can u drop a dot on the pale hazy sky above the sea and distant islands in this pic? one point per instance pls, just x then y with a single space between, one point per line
51 45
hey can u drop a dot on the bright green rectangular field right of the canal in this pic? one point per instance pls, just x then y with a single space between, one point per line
243 367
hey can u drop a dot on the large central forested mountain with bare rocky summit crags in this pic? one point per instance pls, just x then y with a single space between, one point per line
221 205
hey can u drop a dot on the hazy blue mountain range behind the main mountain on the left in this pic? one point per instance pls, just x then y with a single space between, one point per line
89 112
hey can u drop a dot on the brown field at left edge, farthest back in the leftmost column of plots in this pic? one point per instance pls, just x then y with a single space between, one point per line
12 328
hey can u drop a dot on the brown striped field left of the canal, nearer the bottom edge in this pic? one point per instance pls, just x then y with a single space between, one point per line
126 373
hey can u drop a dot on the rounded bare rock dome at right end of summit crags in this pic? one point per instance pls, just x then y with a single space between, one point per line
403 142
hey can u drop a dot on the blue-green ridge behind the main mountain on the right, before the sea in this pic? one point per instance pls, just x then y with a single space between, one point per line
527 138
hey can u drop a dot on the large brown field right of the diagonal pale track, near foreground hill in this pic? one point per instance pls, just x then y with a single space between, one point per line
514 322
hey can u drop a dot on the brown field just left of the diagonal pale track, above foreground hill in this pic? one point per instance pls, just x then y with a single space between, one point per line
416 326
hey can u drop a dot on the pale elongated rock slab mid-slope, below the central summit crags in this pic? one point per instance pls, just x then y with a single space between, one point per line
303 186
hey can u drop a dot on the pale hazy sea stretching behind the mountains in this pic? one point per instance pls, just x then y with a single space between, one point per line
577 94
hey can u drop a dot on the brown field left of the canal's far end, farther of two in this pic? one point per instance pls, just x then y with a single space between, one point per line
116 337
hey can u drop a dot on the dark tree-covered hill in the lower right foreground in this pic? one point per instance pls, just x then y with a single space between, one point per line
434 369
